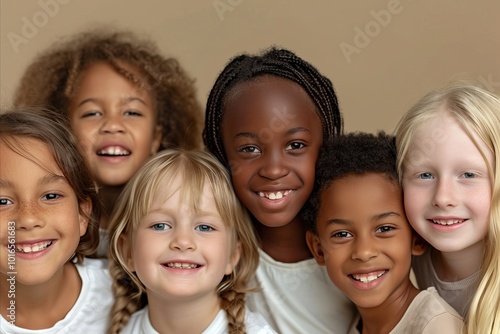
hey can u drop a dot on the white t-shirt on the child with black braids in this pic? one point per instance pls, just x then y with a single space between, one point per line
300 298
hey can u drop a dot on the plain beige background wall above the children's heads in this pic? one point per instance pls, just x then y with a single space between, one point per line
414 46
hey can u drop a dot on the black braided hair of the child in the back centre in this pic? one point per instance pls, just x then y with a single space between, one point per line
276 62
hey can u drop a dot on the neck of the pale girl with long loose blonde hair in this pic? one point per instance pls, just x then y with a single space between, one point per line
456 266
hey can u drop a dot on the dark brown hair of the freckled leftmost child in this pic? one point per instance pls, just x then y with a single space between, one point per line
53 130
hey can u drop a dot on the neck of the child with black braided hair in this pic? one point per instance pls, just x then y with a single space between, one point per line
286 243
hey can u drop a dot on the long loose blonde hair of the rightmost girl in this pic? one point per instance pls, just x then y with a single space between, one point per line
478 112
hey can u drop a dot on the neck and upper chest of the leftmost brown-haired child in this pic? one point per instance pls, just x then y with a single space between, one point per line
42 306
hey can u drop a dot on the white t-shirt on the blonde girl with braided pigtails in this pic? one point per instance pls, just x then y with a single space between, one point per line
139 324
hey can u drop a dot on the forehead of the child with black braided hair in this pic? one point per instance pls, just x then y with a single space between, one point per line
269 100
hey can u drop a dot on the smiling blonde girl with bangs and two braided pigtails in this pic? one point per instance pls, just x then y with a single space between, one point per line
183 250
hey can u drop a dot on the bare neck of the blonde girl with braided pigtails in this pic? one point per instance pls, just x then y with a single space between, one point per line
183 316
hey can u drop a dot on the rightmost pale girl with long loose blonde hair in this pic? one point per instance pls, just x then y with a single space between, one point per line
449 161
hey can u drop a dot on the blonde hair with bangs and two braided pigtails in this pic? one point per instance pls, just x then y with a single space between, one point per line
196 168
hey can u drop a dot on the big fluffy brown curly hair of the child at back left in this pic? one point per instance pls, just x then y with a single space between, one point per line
52 79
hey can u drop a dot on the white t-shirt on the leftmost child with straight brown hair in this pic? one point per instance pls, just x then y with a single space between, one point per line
91 312
